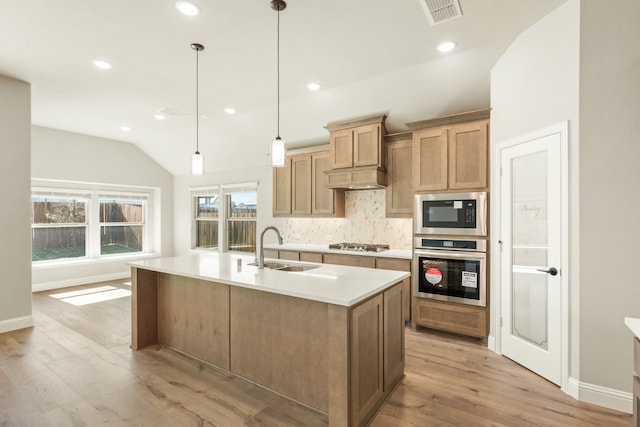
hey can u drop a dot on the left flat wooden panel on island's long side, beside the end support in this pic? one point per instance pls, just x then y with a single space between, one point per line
193 316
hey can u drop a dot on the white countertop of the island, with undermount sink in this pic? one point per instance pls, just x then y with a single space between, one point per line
333 284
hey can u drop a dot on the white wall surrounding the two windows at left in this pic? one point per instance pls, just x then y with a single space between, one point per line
66 156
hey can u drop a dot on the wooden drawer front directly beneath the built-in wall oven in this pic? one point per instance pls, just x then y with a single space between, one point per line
458 318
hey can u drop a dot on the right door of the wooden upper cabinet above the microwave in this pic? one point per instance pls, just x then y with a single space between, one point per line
468 155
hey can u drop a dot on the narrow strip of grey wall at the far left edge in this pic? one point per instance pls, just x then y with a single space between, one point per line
15 225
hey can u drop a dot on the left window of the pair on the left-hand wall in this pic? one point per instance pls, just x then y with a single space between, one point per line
58 227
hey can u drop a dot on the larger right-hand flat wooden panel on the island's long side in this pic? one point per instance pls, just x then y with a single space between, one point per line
277 341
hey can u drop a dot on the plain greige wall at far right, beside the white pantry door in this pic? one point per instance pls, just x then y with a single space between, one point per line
609 180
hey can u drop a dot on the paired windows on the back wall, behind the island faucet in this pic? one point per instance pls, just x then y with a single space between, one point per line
225 217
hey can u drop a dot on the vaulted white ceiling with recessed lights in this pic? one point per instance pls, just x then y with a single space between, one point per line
370 56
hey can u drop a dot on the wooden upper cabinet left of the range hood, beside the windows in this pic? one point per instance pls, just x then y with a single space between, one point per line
300 188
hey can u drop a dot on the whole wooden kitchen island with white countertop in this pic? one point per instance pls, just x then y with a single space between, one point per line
330 337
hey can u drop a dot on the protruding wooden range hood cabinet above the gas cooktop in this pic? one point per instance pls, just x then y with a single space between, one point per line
356 154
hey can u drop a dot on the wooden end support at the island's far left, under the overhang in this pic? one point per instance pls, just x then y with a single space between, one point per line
144 308
